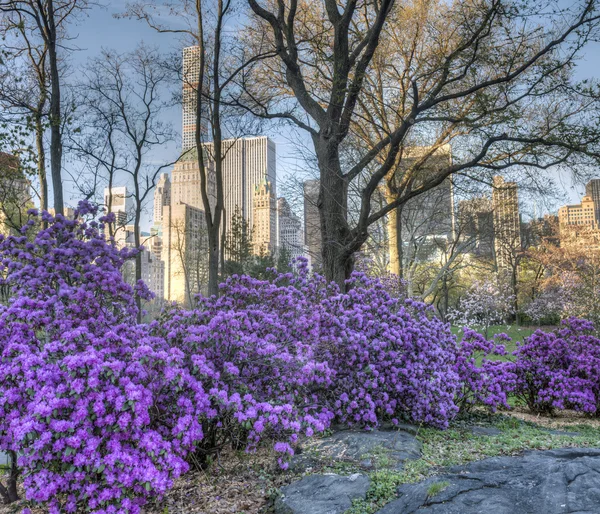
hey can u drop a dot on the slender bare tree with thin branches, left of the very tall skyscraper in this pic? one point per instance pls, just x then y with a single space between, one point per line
124 104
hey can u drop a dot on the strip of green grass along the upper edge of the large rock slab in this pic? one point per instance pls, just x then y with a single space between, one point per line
458 445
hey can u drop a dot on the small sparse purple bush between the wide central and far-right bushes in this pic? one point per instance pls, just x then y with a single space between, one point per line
484 381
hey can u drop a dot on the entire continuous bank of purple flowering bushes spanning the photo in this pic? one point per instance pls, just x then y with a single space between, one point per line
105 413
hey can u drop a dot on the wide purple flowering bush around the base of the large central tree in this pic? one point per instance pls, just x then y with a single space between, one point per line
378 356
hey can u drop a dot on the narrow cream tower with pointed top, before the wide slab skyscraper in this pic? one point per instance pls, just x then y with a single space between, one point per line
264 233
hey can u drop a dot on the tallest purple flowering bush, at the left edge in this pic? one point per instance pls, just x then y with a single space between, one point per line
100 413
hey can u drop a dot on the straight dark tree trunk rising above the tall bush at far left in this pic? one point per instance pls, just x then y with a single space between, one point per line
55 116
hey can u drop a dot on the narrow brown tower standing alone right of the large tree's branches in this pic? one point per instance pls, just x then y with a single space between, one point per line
507 222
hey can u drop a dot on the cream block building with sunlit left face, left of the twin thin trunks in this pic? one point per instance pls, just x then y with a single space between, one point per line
183 252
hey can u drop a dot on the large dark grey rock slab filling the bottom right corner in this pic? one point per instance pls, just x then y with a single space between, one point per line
565 481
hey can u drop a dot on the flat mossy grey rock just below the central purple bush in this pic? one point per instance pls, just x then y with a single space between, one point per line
363 449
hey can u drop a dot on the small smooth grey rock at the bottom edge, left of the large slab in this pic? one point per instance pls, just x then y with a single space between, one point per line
321 494
